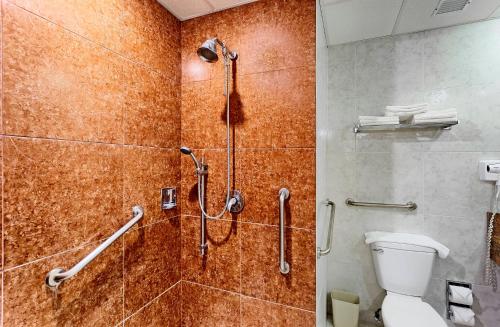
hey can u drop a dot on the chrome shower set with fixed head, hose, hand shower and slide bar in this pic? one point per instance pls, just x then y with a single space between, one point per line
234 200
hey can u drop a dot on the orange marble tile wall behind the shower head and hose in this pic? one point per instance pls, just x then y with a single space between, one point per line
273 117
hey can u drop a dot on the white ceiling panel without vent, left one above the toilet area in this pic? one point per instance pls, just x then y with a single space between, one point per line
353 20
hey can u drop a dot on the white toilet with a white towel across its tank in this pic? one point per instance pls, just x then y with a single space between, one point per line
403 265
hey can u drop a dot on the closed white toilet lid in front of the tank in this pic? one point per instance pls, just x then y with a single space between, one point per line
409 311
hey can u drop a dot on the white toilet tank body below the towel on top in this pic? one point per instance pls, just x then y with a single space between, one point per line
403 268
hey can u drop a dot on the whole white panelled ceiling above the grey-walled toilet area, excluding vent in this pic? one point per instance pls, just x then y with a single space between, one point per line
353 20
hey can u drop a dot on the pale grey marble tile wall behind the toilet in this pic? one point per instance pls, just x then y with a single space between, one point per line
454 67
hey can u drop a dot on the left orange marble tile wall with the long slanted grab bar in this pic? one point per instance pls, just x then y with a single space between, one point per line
90 127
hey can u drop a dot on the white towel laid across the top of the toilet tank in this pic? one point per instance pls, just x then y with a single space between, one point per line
404 238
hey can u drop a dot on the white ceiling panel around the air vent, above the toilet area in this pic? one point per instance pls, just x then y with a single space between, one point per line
416 15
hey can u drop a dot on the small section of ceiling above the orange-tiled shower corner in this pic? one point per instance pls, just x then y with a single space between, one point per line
187 9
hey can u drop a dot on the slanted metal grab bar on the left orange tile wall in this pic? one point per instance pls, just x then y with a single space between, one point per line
57 275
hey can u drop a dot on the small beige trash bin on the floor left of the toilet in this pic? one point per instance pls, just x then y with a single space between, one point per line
345 308
